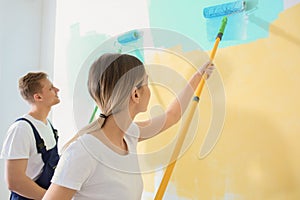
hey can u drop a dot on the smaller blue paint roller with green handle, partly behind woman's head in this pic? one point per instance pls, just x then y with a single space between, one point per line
125 39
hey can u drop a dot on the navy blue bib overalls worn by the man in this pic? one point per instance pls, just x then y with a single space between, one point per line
50 159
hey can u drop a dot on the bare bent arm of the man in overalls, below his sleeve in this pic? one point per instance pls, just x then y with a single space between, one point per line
18 182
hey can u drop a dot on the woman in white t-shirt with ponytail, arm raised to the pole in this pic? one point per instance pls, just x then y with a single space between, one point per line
100 162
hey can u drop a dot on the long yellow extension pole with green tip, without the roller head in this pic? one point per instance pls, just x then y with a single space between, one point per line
185 127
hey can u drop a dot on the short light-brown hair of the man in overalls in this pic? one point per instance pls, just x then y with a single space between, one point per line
30 85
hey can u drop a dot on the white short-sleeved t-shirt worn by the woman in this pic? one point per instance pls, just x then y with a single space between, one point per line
97 172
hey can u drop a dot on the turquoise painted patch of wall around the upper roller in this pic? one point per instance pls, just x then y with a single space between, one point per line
187 19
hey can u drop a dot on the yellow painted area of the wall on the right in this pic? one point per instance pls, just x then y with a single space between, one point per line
257 155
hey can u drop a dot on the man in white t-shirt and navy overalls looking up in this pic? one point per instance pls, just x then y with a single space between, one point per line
30 148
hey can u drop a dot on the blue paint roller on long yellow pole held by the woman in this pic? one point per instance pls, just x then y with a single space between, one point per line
209 12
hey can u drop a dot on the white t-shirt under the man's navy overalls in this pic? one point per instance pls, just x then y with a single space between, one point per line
20 144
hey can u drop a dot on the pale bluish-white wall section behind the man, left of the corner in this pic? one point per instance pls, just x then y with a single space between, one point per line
26 44
